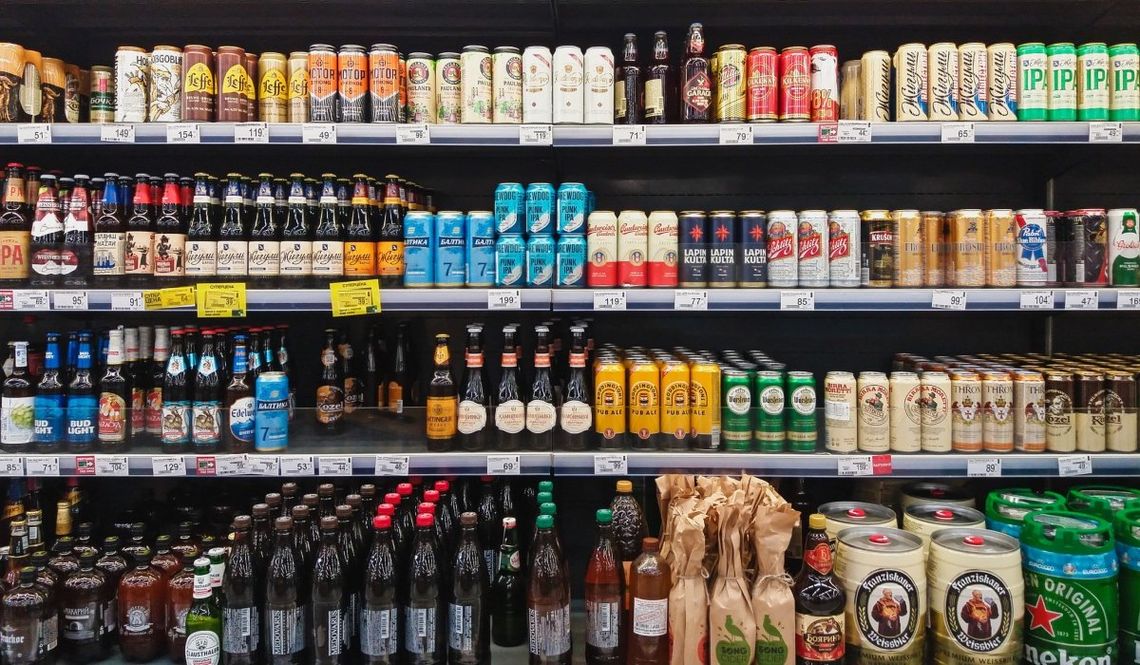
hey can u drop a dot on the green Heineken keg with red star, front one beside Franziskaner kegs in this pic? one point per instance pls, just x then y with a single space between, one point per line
1071 595
